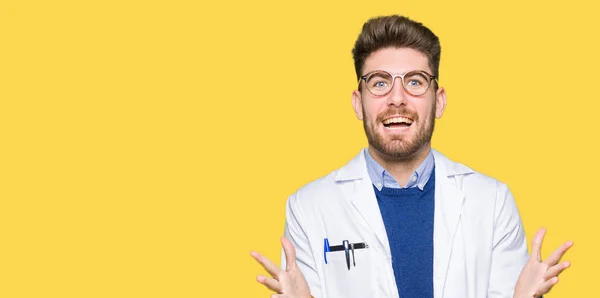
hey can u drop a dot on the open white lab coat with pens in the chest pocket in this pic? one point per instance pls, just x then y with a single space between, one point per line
479 241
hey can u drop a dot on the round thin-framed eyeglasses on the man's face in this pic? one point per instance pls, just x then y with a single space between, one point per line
381 82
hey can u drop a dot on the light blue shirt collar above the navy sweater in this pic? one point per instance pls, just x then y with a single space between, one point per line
381 178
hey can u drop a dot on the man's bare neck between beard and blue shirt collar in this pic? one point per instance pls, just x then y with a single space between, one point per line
401 168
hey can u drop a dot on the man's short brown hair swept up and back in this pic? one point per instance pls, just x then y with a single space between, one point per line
399 32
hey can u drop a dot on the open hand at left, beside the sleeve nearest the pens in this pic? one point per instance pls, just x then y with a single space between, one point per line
289 283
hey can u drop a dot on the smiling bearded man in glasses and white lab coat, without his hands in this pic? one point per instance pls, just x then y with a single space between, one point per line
401 219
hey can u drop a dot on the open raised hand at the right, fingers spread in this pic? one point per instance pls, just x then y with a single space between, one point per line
538 277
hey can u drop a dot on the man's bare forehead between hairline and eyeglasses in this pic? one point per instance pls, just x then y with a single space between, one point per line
396 60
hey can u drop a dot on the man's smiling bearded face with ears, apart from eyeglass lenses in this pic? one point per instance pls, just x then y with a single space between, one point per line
398 125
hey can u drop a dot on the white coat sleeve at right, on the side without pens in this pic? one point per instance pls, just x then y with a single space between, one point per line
509 252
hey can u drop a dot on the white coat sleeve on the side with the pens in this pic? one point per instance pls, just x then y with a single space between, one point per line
295 231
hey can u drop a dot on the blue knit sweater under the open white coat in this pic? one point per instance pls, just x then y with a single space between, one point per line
408 217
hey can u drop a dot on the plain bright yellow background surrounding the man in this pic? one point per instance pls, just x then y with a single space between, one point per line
148 146
